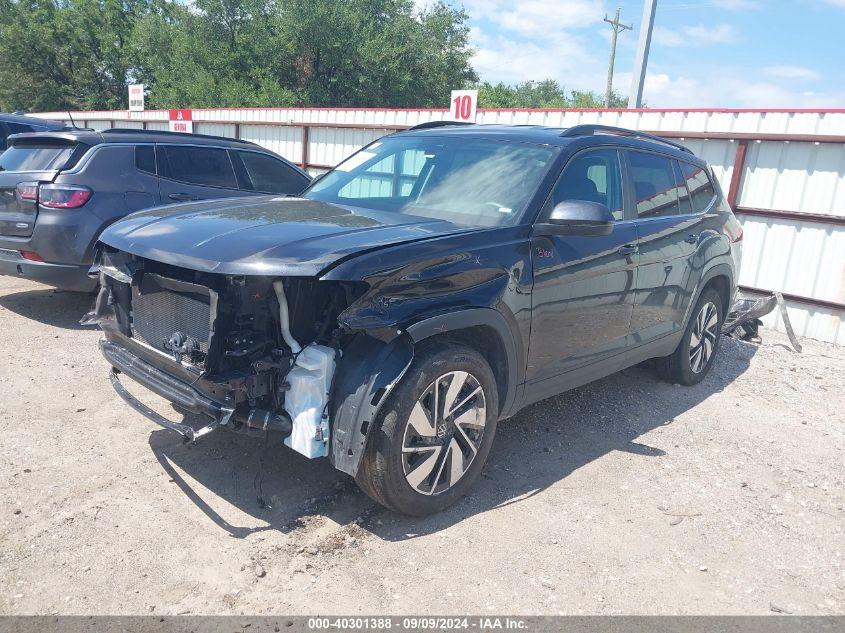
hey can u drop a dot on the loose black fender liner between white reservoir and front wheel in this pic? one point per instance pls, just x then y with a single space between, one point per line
365 376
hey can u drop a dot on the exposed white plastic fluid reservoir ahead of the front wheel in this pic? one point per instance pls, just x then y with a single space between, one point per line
310 380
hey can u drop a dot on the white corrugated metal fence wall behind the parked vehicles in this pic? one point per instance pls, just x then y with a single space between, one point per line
801 257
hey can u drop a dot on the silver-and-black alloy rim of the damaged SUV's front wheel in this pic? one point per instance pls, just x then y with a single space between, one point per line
443 433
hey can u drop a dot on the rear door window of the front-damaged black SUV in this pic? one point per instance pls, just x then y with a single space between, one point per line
655 188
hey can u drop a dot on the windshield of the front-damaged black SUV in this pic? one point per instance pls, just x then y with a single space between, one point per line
470 182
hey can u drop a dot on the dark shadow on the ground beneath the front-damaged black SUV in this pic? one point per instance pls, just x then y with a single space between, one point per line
533 450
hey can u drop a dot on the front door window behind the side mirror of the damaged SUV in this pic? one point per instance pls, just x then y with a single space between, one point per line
593 176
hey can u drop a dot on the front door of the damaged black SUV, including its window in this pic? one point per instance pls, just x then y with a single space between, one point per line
584 286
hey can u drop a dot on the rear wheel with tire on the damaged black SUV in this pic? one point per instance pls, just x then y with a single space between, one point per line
691 361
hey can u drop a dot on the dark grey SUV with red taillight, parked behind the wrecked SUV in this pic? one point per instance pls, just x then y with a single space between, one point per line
59 190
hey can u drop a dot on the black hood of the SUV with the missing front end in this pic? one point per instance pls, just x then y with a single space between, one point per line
264 235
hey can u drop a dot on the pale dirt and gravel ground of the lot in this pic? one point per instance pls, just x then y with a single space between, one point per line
626 496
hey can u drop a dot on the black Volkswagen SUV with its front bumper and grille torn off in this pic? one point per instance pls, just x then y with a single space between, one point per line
434 283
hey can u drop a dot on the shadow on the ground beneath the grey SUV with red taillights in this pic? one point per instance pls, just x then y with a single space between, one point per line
50 306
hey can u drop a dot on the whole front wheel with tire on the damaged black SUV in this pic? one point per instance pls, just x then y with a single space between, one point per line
434 432
